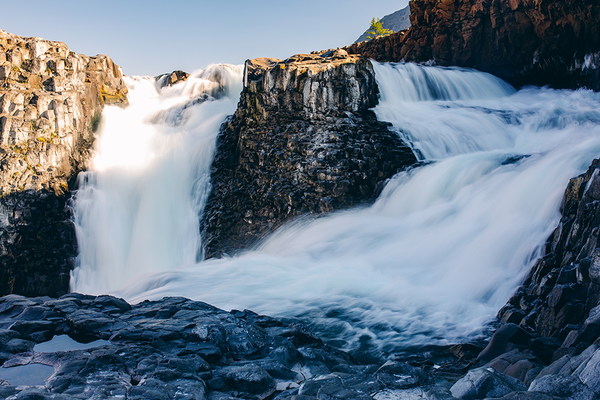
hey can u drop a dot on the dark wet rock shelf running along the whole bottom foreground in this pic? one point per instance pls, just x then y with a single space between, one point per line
176 348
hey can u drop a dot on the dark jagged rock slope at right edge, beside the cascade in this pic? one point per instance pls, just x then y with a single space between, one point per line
561 296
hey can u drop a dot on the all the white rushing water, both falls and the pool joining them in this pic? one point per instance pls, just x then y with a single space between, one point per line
431 262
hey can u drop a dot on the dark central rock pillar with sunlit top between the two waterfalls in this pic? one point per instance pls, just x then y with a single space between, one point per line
302 141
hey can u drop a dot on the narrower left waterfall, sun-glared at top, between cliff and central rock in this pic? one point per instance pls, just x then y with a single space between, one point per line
137 210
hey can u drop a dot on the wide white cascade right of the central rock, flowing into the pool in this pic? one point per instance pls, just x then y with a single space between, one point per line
444 246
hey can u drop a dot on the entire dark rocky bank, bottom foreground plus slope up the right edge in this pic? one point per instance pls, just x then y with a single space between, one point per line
546 346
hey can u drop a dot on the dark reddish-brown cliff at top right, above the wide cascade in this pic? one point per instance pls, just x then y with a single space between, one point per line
553 42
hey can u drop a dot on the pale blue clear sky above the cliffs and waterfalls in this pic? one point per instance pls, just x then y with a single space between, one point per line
151 37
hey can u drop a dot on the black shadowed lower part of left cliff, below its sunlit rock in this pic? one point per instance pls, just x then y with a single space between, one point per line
38 244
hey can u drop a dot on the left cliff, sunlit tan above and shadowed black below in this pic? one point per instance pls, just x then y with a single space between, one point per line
51 100
